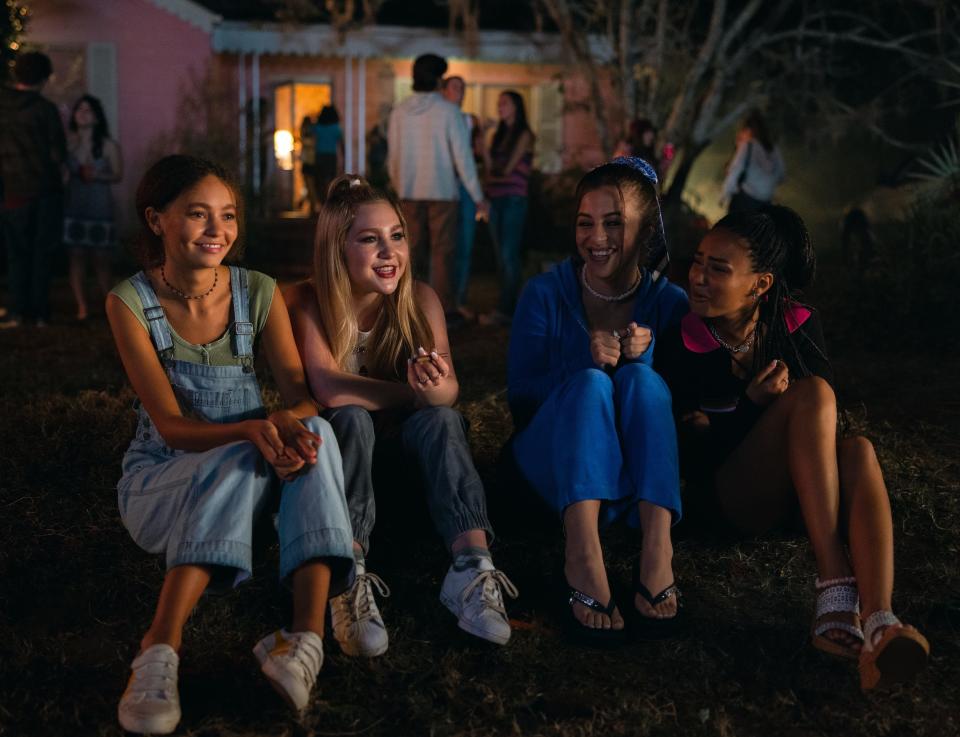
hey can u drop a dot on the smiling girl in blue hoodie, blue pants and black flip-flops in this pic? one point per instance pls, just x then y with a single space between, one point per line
595 436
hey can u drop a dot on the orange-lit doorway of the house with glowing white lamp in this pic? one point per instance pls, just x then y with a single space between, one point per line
292 102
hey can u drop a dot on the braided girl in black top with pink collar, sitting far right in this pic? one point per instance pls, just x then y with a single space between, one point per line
750 376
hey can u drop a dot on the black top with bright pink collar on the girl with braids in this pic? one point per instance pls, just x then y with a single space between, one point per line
700 375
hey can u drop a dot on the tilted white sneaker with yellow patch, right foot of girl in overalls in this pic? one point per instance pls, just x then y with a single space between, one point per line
291 662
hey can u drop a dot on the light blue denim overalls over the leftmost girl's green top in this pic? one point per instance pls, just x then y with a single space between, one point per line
200 507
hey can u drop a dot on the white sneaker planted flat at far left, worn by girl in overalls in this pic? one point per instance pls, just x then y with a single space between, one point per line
151 703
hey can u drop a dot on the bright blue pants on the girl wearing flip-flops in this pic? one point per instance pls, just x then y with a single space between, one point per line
604 437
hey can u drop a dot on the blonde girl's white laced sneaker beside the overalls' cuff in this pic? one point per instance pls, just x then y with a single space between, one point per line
356 620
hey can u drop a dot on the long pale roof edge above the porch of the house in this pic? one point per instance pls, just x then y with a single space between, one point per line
379 41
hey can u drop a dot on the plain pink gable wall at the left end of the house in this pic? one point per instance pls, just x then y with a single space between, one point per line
155 51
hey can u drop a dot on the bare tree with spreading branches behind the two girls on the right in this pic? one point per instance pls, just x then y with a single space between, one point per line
694 68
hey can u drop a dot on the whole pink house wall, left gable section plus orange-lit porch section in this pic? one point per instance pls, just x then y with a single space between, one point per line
158 56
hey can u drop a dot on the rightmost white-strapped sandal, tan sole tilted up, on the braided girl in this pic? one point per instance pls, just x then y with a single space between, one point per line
898 654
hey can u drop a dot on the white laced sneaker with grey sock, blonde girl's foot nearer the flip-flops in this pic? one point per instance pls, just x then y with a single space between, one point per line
472 591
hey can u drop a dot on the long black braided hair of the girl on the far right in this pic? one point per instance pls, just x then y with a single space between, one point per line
778 242
